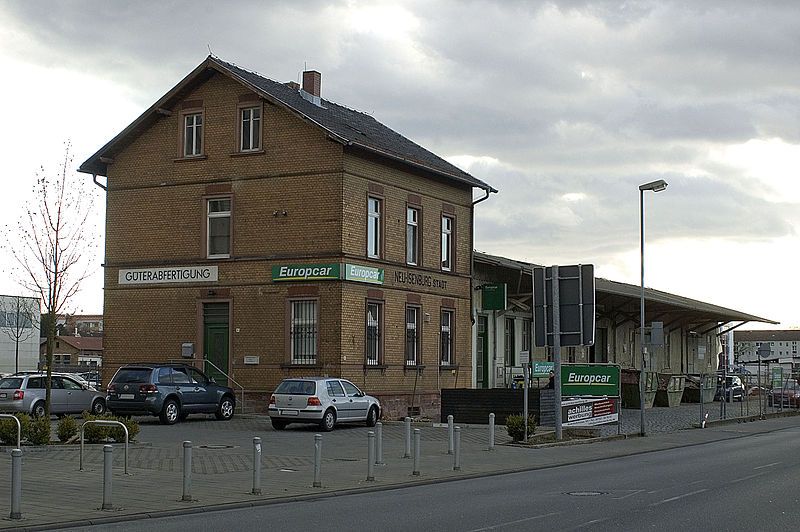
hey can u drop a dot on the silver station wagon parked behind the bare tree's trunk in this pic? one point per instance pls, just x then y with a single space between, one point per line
26 394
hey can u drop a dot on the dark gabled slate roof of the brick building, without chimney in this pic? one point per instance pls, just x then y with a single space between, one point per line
351 128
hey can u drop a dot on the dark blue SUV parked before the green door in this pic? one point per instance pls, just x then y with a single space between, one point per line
169 391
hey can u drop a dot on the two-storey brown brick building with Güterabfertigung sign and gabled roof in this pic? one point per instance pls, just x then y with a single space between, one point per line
262 232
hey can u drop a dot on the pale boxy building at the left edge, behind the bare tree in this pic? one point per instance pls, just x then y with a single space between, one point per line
19 336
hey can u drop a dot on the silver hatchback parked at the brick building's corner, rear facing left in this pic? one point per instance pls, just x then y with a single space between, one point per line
322 400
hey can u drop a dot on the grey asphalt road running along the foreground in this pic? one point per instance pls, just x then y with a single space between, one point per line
747 483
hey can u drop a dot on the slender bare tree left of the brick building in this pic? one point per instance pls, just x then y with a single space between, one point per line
53 245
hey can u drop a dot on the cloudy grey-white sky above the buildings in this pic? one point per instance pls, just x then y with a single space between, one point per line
564 107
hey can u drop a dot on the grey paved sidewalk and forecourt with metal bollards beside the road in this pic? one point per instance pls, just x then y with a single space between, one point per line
55 493
